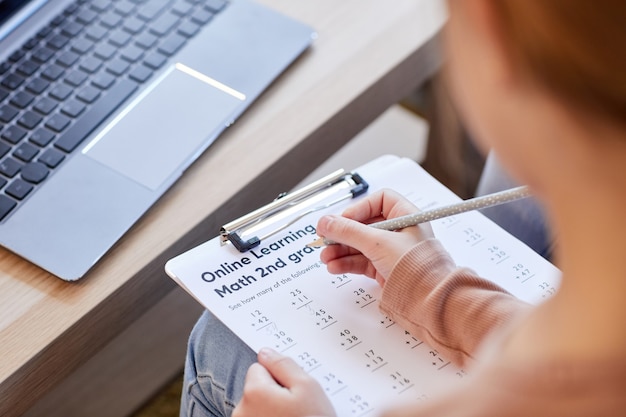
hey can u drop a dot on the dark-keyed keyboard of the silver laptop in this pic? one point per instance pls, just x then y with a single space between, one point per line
63 82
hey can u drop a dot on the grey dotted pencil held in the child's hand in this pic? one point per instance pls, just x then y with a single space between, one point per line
414 219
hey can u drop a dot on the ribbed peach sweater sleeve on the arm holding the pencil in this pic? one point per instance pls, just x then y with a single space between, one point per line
448 307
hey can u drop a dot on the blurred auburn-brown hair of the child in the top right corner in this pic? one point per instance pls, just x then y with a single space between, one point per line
573 47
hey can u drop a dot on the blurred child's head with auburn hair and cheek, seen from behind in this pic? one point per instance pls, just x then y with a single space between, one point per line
515 63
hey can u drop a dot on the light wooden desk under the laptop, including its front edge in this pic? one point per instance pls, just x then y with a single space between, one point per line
103 345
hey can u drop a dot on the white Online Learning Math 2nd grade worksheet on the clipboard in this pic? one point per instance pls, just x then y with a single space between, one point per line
280 295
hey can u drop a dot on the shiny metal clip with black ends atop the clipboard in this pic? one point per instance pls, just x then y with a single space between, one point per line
248 231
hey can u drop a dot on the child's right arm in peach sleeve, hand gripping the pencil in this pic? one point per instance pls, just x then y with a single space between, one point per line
451 308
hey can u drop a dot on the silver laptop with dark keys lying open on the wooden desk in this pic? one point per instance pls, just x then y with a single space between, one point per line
105 103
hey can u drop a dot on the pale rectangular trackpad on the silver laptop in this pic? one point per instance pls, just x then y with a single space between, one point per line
165 126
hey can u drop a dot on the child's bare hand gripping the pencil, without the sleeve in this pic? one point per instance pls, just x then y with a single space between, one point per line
366 250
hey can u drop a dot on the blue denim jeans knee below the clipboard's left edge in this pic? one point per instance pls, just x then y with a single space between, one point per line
215 369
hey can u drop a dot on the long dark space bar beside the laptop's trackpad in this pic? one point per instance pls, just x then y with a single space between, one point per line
72 137
